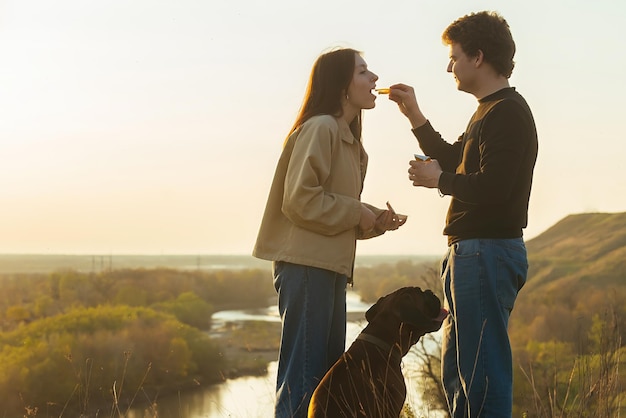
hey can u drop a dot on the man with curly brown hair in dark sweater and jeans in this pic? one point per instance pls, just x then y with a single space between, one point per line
488 174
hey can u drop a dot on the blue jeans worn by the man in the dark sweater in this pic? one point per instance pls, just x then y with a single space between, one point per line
481 279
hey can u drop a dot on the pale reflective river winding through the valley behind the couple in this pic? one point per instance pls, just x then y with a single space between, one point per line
253 397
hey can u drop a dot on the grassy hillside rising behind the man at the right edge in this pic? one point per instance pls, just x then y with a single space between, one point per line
577 272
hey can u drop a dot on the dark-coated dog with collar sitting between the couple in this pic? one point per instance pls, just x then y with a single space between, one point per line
367 380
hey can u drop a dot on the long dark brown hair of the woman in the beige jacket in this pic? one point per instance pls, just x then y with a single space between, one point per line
328 84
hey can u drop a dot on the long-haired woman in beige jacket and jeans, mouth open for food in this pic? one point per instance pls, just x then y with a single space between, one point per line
312 220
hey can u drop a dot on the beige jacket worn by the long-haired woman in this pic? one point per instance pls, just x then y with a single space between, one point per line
313 209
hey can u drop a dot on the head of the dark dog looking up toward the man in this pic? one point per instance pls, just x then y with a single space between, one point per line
415 312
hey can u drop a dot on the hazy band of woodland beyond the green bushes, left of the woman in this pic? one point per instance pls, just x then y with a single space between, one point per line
28 297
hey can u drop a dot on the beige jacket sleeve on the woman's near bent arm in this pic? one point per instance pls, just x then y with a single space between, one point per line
305 202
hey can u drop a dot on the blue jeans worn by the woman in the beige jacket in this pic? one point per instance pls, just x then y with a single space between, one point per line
312 306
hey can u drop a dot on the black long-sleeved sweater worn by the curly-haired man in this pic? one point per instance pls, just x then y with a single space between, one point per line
488 171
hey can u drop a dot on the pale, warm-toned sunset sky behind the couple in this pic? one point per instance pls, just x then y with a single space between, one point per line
154 127
